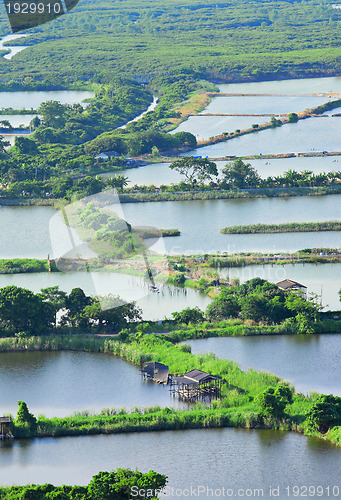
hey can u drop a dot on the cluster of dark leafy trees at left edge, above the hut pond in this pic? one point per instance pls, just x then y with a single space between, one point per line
24 313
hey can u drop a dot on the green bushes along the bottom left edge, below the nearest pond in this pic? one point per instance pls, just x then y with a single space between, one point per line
114 485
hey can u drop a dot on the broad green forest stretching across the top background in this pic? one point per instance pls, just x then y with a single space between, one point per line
238 40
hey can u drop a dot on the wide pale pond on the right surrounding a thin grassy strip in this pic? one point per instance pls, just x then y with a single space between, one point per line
201 233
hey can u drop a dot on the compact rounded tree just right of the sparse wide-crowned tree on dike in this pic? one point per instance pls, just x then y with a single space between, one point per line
240 175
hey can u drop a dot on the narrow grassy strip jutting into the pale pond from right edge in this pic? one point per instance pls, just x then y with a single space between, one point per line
292 227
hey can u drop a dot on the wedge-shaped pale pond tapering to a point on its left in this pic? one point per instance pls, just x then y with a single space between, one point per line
313 134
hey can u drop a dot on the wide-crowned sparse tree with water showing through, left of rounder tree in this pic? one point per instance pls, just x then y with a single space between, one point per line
195 169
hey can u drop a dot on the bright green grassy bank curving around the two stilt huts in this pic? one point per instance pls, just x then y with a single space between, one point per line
237 408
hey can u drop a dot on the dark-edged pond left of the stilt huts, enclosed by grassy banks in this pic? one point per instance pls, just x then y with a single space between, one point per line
58 383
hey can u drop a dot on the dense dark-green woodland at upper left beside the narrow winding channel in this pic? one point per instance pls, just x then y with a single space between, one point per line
57 159
